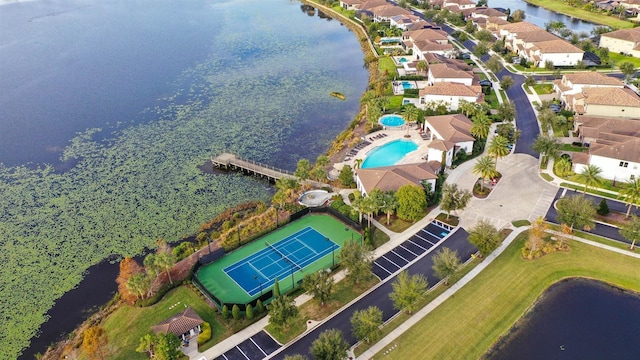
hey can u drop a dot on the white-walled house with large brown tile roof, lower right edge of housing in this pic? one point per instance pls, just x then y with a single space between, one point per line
614 146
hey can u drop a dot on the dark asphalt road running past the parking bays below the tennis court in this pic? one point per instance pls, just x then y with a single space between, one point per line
380 297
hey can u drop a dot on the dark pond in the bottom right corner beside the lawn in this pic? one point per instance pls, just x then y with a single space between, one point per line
576 319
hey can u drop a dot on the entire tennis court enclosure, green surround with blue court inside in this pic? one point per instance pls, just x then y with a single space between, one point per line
303 246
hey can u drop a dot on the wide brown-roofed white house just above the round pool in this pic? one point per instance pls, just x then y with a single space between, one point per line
449 94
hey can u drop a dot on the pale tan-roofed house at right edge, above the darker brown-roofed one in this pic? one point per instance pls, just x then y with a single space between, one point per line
606 101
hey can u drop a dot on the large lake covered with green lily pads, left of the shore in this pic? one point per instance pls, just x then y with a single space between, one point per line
109 107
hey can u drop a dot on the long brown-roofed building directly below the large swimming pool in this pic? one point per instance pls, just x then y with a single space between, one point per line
391 178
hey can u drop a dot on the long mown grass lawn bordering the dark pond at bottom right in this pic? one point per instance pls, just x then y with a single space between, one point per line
469 323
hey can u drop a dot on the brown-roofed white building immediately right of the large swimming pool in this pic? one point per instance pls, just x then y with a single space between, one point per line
449 134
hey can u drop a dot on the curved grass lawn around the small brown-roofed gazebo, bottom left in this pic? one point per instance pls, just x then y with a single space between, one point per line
128 324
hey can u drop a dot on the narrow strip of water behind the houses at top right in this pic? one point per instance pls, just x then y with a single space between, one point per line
541 16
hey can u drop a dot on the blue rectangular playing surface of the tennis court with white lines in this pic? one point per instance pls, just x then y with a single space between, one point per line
292 253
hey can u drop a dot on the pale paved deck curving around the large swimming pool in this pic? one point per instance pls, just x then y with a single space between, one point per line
413 157
